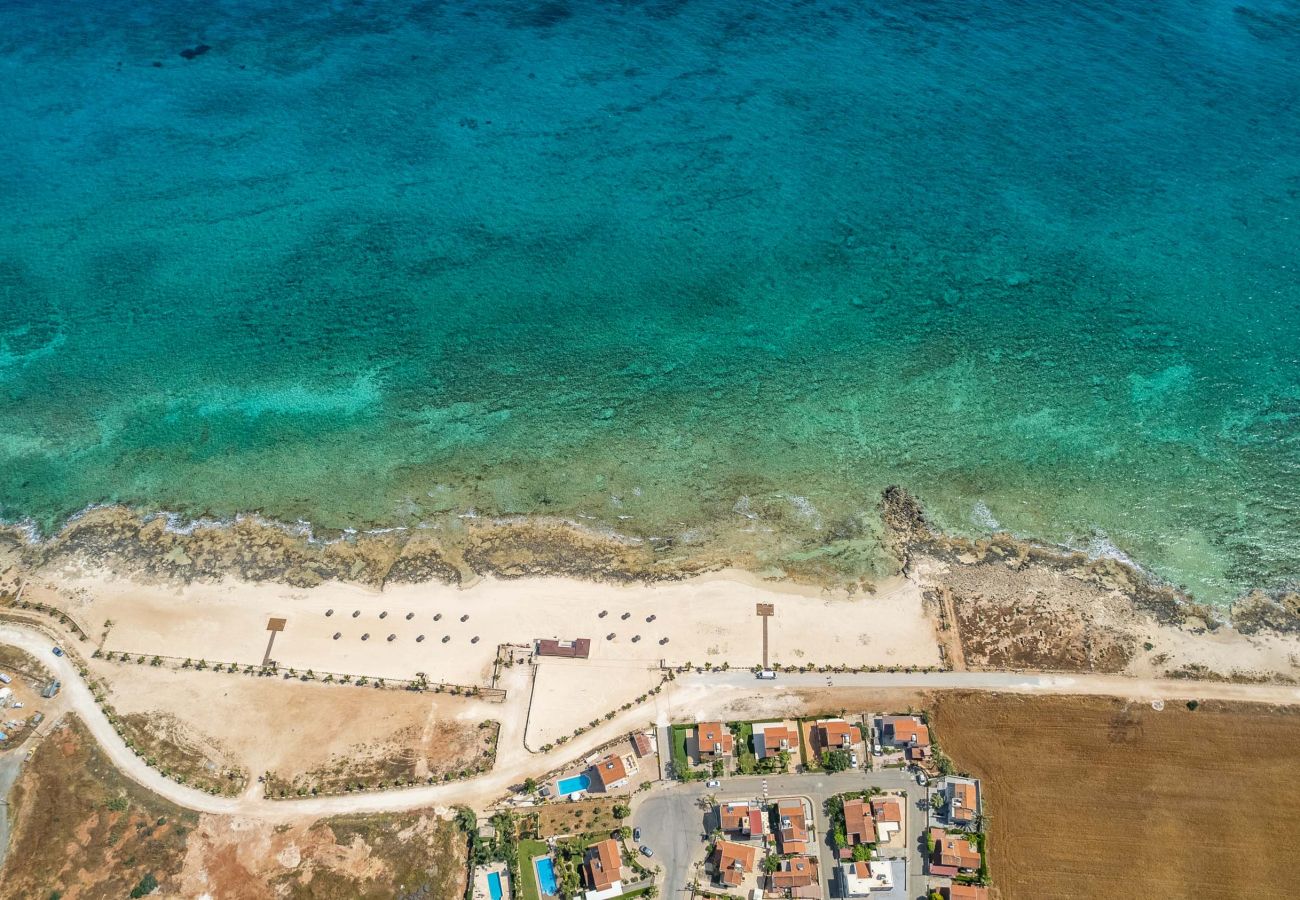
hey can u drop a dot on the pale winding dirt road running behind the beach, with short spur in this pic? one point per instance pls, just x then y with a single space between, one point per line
694 696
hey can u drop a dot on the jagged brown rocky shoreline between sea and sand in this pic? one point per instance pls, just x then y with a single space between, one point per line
153 548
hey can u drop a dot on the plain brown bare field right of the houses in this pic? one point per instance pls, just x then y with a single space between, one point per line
1102 799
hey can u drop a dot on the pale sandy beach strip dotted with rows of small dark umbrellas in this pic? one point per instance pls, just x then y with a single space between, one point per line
703 620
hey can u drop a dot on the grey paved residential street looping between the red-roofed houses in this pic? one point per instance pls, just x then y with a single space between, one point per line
674 821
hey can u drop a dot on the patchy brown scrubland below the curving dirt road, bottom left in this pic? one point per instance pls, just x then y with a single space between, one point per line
86 833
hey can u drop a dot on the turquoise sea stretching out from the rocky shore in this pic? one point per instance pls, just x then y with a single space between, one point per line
662 263
